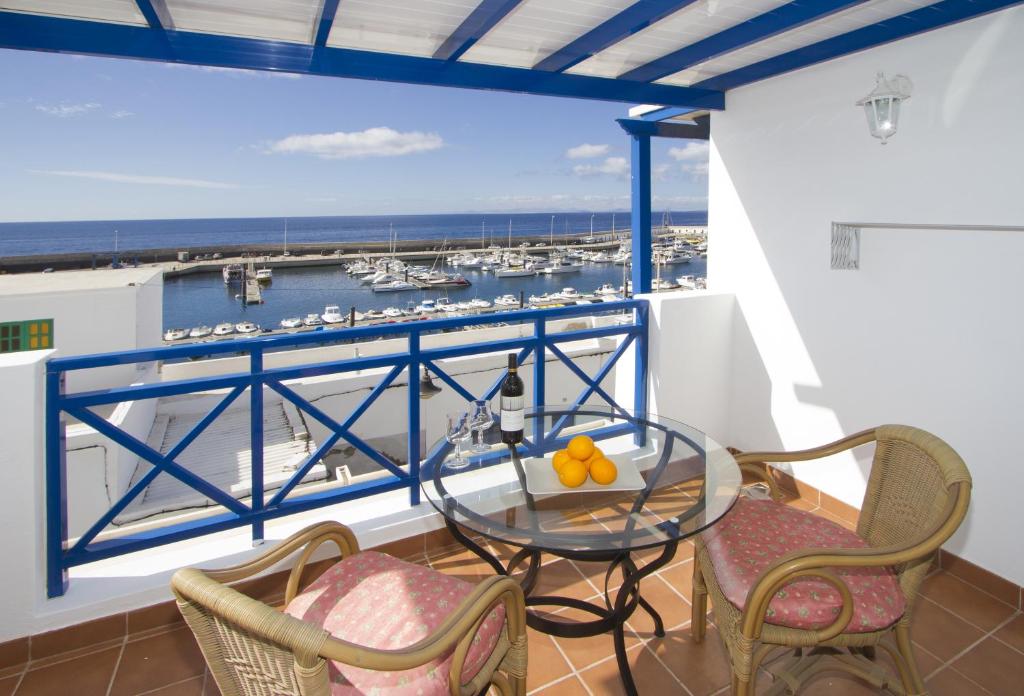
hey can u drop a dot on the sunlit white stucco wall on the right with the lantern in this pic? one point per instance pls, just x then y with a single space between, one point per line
928 332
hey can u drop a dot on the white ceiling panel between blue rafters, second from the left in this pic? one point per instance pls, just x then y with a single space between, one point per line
280 20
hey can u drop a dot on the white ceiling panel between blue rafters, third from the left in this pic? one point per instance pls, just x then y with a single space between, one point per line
407 27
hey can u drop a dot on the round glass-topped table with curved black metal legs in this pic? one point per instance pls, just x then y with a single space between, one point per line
673 483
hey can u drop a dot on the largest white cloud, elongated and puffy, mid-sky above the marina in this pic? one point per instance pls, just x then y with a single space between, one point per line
380 142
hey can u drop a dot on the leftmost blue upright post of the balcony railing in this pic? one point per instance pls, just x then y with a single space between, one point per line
57 488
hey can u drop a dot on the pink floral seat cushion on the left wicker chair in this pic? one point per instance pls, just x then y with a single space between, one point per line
377 601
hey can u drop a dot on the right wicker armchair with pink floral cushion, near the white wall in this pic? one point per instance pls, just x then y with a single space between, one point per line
834 601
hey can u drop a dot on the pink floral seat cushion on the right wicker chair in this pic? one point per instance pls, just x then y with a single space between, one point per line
756 534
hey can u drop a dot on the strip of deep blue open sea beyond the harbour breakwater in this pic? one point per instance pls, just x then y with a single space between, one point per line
104 237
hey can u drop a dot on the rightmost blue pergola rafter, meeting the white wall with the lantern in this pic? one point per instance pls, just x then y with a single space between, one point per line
924 20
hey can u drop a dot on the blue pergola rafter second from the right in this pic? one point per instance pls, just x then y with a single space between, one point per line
762 27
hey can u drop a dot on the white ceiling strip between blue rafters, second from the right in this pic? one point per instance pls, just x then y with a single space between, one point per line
694 23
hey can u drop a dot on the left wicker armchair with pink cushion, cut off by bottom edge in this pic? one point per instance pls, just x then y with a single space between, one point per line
255 650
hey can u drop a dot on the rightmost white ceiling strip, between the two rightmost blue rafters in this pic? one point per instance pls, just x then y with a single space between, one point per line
841 23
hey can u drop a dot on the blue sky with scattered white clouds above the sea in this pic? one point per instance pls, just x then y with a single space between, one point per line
98 139
